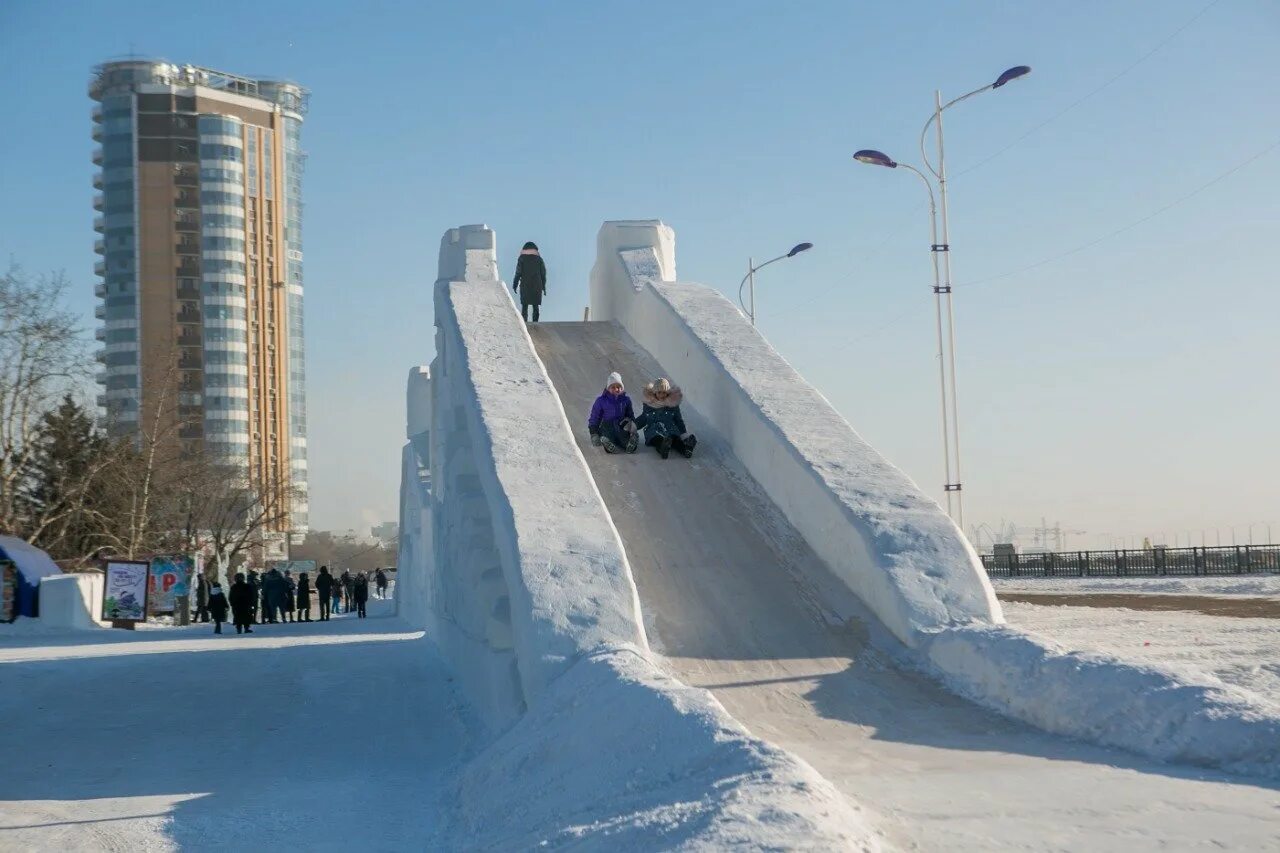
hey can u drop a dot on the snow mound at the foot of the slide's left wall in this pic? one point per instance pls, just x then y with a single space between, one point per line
618 755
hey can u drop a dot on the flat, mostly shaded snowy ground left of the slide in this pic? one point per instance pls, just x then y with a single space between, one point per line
309 737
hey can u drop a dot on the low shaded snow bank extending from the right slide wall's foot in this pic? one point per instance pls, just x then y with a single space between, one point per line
1150 710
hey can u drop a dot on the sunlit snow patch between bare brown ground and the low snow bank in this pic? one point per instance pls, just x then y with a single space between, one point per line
1201 650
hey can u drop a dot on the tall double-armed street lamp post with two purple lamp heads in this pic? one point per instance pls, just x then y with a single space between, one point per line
943 279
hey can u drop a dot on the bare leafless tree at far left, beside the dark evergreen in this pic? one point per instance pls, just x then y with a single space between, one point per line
43 357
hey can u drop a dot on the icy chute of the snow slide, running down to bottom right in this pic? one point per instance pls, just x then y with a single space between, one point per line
717 571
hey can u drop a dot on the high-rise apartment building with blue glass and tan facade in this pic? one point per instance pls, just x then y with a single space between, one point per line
200 231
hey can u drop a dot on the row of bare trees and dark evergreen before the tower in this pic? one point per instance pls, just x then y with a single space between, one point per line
83 487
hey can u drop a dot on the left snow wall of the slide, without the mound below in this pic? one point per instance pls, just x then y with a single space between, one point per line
527 572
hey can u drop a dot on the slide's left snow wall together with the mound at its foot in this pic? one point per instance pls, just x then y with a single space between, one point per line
531 599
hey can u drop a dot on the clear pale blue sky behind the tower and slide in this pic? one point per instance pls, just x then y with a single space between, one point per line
1128 389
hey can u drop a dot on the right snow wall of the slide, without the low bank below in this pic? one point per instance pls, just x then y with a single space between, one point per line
893 546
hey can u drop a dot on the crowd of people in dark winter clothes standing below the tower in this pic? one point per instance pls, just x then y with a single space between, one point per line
275 596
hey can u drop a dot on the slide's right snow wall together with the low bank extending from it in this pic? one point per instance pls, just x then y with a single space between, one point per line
893 546
